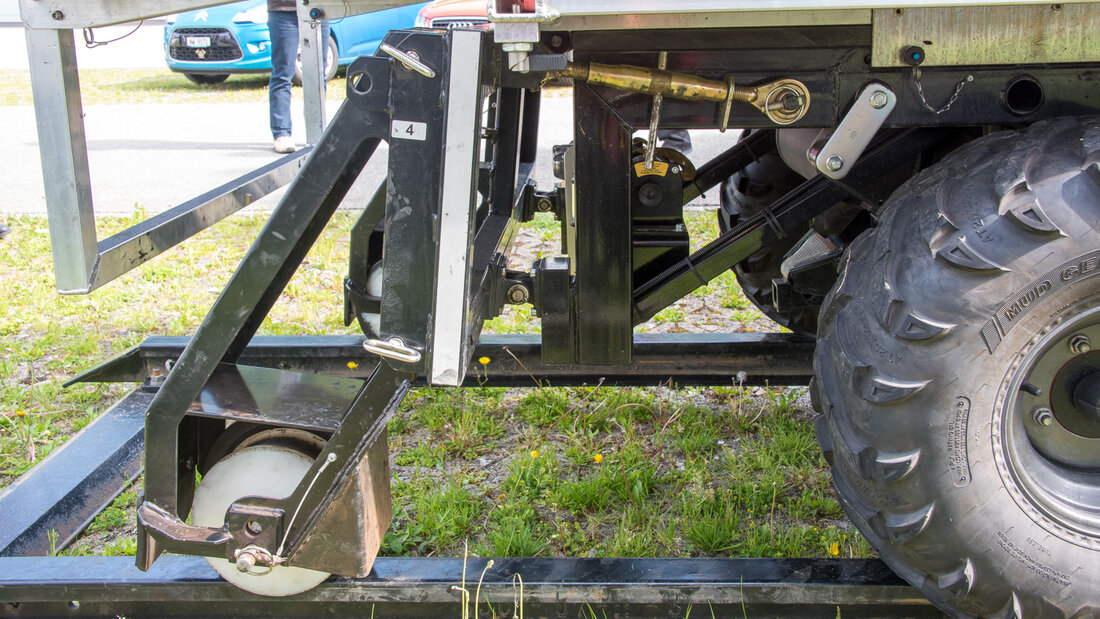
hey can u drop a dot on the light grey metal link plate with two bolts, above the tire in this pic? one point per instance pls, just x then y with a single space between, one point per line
867 114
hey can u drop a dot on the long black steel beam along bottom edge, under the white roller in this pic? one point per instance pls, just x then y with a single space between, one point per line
433 588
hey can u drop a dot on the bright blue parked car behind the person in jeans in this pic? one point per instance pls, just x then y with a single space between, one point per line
210 45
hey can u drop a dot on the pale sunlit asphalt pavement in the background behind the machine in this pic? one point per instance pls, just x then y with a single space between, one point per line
155 157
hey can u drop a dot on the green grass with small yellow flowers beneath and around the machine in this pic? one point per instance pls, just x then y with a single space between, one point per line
595 471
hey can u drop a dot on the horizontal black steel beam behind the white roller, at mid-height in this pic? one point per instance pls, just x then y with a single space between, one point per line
688 359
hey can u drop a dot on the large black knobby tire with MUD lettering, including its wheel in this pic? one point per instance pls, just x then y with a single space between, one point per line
948 316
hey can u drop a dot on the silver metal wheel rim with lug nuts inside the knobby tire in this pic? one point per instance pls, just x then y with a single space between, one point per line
1050 429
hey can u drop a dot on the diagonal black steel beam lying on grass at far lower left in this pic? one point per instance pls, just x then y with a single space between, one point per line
65 492
